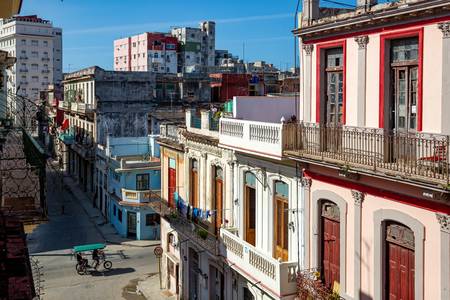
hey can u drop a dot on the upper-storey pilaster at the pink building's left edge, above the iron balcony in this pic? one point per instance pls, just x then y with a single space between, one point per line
307 80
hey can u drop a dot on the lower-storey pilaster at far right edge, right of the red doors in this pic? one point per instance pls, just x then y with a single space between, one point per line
444 222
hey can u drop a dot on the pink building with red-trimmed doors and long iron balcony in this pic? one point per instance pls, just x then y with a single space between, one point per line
373 144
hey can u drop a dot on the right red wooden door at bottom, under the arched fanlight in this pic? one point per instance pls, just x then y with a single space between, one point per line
400 279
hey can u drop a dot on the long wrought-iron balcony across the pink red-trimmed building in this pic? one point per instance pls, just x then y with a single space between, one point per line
417 156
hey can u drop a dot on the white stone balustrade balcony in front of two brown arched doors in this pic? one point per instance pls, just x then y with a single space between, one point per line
276 276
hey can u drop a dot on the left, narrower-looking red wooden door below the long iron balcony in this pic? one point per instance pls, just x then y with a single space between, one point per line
331 251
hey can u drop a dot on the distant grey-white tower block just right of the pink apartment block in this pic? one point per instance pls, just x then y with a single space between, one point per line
197 46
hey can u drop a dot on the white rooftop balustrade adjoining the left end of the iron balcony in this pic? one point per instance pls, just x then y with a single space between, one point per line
264 139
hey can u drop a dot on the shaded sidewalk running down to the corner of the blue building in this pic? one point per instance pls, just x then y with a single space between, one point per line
106 230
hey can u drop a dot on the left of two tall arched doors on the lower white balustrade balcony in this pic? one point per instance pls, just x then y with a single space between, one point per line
250 208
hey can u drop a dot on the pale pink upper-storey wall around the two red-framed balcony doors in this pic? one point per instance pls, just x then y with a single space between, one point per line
432 78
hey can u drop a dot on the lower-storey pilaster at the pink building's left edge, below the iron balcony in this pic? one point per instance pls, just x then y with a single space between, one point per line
306 184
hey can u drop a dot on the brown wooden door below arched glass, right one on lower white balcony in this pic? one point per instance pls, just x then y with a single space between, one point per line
281 228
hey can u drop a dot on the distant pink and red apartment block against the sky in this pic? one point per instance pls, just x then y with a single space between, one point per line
152 52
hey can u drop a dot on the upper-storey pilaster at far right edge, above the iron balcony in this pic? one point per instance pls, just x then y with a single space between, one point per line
445 104
